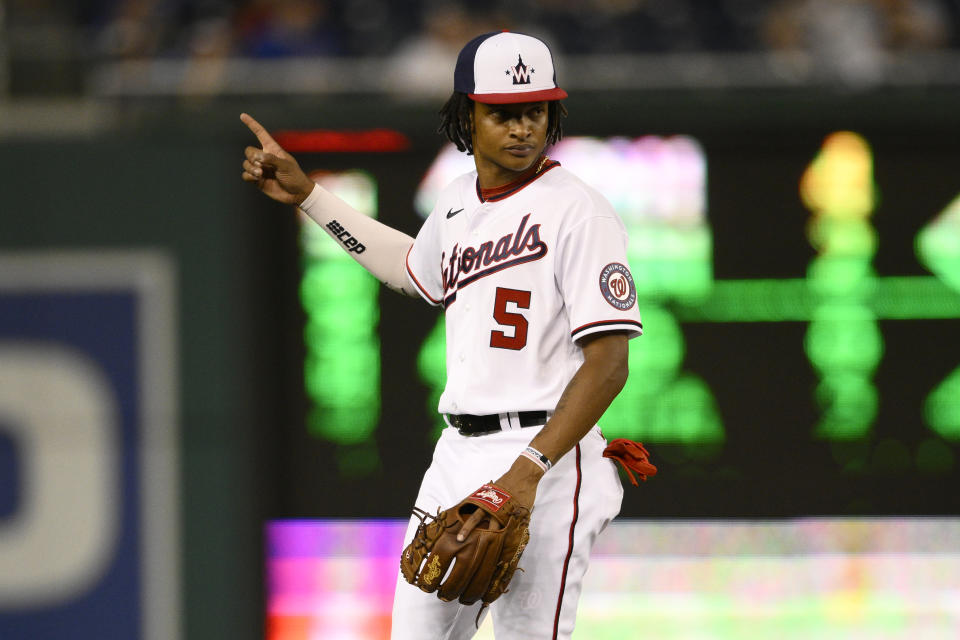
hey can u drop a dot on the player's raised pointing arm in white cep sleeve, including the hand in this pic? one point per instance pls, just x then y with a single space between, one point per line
380 249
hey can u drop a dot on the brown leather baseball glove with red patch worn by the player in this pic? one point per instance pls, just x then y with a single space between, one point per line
483 564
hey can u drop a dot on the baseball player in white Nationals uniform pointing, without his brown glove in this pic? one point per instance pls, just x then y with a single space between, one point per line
530 266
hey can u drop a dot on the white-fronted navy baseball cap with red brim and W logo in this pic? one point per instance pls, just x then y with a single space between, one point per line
504 67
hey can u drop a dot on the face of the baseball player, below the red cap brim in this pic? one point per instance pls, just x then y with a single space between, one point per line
507 139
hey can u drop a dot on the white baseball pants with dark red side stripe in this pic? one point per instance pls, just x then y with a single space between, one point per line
576 499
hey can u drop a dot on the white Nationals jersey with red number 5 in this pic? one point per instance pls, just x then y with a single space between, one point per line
522 275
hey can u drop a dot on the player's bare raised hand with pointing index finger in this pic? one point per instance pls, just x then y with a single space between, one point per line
274 171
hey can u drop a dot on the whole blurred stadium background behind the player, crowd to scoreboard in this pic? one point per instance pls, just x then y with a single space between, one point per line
212 421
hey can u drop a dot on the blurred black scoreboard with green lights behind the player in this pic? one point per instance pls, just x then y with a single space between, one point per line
801 310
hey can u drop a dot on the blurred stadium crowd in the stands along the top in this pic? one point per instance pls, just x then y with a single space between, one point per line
411 32
